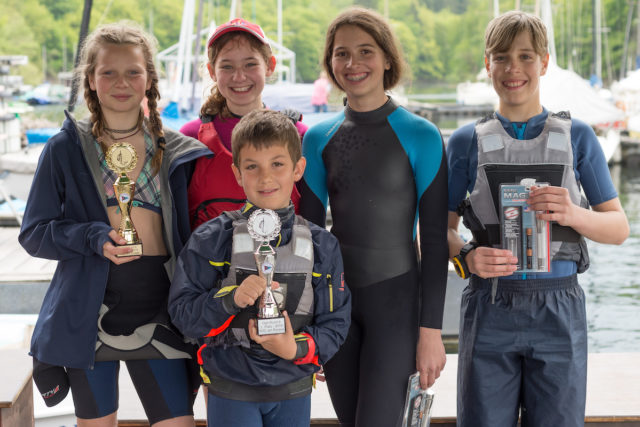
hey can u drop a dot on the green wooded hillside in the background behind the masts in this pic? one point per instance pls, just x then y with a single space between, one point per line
442 39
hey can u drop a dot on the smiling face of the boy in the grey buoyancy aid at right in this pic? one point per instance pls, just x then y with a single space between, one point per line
515 75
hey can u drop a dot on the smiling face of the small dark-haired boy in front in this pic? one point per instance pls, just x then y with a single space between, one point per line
268 175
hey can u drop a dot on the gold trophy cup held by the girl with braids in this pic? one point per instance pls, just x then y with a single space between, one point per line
122 158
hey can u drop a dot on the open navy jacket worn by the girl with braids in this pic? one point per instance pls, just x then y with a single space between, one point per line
66 220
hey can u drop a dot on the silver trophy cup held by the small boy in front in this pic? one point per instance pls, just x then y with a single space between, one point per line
264 226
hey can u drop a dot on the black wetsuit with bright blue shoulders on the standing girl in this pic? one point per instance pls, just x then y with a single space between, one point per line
381 170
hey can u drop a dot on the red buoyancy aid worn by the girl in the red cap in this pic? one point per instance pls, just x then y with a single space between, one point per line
213 188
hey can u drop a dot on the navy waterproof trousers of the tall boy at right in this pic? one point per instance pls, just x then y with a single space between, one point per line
525 354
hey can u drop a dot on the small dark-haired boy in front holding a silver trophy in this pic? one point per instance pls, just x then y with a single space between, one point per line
261 347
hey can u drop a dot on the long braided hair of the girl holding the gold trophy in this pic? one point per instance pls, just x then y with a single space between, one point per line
118 34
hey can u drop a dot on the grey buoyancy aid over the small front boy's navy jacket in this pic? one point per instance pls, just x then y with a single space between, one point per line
293 272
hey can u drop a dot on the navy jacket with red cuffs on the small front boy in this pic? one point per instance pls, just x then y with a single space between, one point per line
203 264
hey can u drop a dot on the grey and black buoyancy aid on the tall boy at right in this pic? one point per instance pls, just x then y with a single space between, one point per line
505 160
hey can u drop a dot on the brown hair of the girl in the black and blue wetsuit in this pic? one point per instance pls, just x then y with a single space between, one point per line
378 28
